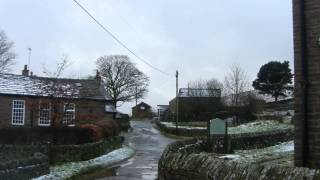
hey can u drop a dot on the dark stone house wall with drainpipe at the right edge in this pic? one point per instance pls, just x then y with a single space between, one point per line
311 140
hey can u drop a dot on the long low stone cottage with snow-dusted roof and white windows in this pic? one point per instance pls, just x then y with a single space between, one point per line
29 101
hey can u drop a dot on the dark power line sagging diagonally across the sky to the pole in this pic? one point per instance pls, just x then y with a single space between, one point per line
117 40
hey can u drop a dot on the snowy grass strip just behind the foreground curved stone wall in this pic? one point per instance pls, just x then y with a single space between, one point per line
254 155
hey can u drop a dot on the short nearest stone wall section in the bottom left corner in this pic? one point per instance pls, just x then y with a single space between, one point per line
24 168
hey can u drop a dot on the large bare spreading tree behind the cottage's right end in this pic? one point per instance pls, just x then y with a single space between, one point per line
122 79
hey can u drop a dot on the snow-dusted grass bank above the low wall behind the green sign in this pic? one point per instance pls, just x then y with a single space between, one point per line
256 126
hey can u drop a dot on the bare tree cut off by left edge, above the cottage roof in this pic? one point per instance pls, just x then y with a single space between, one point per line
6 55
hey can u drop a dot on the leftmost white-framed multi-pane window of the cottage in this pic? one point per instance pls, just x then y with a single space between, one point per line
18 112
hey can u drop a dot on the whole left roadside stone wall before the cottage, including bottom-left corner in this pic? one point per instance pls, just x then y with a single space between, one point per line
15 165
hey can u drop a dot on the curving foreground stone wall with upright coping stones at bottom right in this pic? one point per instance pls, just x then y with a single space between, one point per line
183 161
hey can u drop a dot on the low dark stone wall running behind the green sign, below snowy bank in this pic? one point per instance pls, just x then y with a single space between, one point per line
240 141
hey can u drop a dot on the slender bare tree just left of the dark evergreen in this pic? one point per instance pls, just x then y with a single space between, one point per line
236 82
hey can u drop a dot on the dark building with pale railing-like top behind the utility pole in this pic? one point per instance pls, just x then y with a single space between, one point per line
196 104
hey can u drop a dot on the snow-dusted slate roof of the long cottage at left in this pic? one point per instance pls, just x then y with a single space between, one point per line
11 84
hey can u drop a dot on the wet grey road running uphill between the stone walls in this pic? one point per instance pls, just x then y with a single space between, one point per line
149 144
